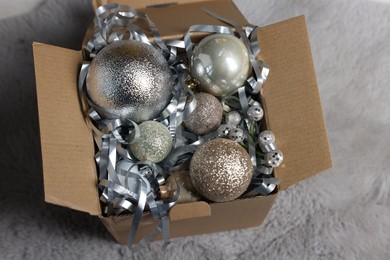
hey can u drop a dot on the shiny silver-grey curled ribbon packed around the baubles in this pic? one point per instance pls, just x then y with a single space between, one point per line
129 185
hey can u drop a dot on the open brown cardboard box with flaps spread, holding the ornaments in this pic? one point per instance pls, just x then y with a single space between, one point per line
292 109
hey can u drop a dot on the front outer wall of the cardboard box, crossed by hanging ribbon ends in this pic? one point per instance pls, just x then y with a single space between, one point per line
237 214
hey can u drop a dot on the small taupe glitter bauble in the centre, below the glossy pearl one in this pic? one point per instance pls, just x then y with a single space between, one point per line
207 115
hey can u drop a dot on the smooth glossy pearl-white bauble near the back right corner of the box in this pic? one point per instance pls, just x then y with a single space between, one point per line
221 64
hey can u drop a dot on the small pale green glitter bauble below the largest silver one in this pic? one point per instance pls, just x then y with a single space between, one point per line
154 143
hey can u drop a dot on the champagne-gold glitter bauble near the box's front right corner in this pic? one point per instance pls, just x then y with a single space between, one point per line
221 170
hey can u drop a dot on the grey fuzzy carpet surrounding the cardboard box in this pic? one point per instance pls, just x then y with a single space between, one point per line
343 213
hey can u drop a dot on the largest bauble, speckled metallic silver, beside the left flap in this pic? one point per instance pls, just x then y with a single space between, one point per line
129 79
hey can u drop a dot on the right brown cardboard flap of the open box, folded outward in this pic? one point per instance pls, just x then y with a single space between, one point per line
292 102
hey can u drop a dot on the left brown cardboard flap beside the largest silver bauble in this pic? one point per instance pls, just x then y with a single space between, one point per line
69 169
